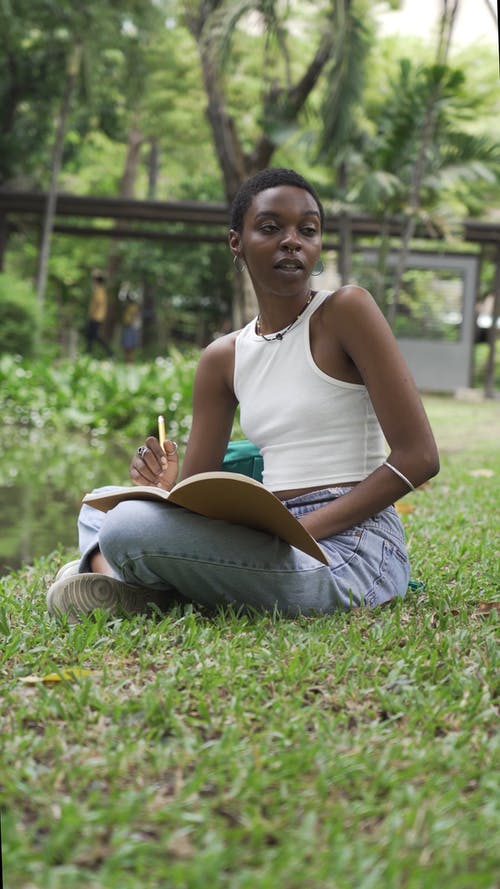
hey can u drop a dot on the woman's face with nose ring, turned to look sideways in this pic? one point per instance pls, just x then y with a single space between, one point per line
281 238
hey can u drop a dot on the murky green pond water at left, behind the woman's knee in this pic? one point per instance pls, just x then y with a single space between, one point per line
42 482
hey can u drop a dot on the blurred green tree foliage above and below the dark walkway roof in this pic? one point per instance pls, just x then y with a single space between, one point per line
138 127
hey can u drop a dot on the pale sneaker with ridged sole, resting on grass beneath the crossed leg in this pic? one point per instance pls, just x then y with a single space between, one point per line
83 593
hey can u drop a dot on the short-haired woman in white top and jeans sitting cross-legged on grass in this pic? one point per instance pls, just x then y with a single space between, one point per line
321 383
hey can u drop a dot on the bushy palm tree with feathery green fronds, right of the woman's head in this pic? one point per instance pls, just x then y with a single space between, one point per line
456 161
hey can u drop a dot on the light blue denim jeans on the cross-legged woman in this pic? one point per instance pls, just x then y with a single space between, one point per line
214 563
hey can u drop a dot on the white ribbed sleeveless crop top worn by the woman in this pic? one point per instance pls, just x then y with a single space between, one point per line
311 429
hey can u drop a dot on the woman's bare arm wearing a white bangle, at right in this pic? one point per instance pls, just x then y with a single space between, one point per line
369 344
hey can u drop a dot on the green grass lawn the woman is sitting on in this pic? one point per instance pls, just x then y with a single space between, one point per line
355 751
